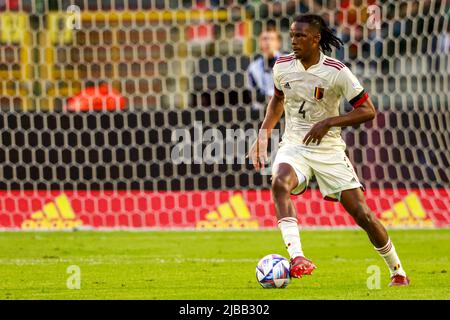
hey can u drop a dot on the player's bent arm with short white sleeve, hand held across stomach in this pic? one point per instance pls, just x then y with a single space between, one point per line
363 108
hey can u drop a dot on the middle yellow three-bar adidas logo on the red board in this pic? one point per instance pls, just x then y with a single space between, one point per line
231 215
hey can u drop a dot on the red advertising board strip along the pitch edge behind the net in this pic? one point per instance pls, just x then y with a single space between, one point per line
186 209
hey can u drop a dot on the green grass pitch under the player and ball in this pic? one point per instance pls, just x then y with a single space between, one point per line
214 265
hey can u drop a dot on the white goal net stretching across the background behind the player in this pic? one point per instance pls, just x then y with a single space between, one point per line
93 92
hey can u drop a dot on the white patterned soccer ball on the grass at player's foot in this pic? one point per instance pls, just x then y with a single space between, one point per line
272 271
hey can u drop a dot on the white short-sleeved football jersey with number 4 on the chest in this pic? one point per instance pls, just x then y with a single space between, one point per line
313 95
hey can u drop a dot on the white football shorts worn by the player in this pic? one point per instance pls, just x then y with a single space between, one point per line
333 170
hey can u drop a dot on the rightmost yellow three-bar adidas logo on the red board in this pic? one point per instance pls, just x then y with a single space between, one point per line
408 212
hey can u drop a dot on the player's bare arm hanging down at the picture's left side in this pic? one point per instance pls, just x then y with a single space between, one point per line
275 109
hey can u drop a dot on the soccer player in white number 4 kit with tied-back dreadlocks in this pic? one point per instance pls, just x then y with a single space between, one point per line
309 86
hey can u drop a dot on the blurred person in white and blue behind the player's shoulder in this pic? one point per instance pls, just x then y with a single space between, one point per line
260 80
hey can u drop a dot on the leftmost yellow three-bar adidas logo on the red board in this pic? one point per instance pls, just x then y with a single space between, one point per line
56 215
